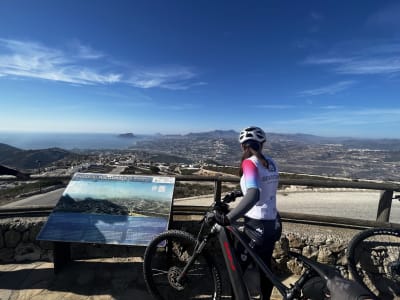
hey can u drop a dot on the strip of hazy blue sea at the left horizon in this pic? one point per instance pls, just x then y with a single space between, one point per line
68 141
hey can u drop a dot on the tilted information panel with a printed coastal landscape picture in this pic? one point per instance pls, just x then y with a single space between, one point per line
111 209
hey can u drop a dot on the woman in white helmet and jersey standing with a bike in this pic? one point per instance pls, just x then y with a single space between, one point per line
259 183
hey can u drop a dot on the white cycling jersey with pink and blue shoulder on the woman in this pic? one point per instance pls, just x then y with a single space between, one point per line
255 175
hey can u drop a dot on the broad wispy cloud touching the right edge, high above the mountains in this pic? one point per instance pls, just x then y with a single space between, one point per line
374 60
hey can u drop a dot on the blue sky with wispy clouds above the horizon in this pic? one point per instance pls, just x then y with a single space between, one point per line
330 68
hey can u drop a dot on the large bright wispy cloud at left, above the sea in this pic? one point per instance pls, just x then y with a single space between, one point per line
80 64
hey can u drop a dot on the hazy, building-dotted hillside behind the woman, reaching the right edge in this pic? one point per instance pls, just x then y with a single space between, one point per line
375 159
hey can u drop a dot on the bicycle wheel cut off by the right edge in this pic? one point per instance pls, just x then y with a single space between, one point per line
373 258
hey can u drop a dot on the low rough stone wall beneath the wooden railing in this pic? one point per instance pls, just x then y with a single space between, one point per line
18 244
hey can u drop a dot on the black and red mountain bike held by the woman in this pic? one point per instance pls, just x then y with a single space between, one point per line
178 265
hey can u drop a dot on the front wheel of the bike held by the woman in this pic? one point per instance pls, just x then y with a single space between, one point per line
164 258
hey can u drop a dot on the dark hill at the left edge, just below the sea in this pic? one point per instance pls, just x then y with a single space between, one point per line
28 159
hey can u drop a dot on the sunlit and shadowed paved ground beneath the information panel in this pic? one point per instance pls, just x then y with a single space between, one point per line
97 279
